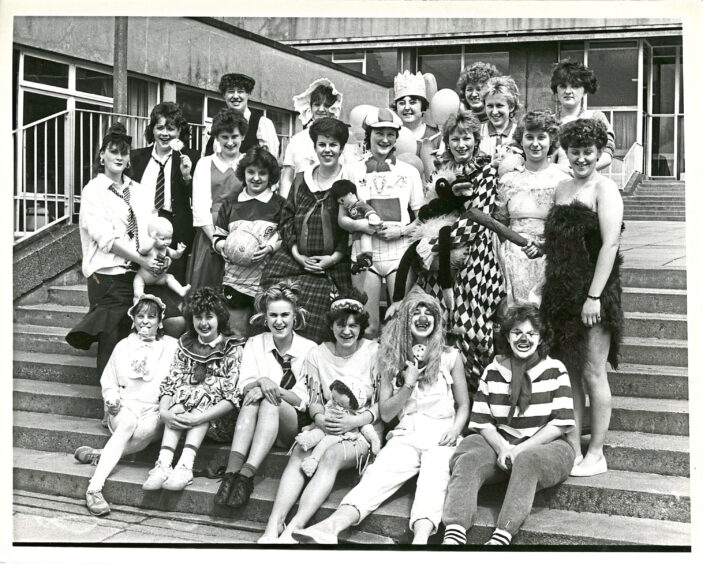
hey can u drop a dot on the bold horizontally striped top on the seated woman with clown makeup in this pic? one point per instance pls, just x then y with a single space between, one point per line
551 401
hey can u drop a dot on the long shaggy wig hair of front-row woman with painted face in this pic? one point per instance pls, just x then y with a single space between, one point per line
397 340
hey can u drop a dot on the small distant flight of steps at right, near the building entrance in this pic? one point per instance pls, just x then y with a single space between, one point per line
657 200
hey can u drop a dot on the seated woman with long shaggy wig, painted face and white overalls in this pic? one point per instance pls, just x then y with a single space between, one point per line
422 384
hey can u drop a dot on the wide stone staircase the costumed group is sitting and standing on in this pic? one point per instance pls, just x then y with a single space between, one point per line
644 498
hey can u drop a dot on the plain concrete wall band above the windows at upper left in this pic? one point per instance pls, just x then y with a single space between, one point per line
194 53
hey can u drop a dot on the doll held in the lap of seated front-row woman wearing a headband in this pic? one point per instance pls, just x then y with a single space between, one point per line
347 396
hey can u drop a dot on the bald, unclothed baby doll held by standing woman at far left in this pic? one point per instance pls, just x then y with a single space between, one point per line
161 233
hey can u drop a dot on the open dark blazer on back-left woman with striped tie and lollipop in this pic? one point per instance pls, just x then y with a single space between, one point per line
181 191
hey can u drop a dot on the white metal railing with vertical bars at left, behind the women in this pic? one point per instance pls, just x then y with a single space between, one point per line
56 156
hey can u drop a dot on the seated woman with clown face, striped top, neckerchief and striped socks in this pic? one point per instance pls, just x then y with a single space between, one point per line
520 414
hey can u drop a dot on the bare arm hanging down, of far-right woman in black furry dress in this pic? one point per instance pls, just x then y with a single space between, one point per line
610 212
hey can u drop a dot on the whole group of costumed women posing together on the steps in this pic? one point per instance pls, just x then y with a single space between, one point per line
278 344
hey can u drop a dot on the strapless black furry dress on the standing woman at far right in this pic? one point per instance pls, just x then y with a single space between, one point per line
572 243
